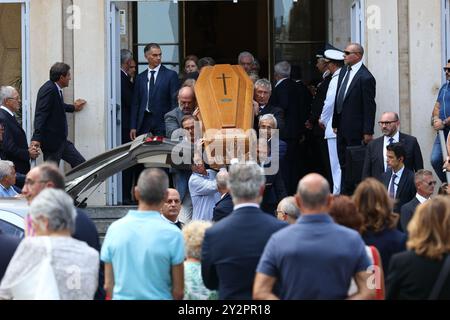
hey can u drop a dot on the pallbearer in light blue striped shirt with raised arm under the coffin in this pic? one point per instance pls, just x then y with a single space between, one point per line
204 193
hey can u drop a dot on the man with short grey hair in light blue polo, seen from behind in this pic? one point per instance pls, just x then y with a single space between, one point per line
143 253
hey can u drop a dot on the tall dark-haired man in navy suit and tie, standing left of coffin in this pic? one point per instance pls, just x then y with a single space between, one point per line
154 95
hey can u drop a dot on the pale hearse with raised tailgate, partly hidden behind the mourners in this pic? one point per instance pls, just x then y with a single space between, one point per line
150 151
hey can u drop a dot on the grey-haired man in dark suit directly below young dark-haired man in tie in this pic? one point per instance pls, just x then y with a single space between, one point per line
425 187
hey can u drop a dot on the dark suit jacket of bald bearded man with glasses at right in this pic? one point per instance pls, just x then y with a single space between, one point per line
374 161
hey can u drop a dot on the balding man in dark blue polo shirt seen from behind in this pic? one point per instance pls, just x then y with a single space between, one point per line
314 258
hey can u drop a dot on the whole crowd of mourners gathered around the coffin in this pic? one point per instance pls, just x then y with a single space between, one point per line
324 226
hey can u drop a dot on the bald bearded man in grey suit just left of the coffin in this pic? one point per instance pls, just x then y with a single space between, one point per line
186 106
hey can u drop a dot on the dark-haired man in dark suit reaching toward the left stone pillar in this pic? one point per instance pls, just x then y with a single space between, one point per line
50 122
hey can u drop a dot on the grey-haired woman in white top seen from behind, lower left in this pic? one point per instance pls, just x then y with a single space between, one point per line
73 264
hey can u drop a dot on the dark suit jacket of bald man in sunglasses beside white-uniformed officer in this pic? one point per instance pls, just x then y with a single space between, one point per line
358 111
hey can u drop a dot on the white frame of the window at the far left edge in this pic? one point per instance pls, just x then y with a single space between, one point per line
25 38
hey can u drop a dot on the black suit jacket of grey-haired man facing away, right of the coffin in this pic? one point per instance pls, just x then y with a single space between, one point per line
295 100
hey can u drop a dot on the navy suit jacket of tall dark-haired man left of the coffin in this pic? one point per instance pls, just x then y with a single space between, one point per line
162 100
